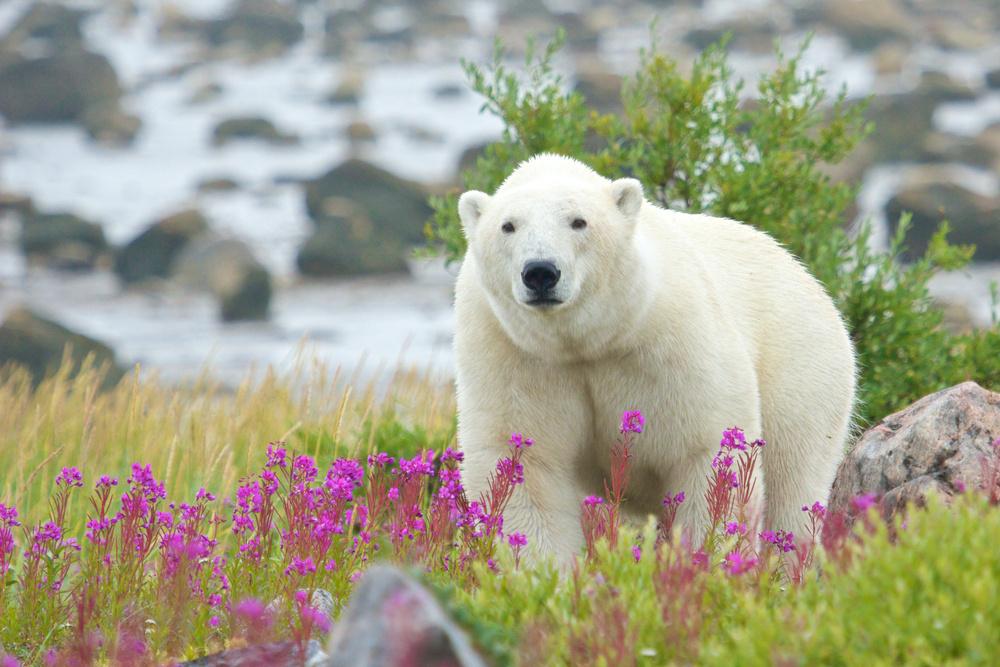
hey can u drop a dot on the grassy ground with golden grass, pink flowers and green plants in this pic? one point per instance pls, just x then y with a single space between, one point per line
175 577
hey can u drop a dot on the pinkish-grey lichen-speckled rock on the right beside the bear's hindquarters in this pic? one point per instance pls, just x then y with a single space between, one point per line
938 444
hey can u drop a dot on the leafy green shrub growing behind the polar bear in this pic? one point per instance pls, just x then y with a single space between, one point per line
697 147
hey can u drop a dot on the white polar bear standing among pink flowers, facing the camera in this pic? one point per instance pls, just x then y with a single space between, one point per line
578 300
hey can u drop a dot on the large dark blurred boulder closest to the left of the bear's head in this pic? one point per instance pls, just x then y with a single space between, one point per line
366 221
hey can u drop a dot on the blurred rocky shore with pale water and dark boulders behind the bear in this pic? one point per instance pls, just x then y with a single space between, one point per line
177 177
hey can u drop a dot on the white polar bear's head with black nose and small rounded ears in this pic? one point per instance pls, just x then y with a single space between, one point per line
554 242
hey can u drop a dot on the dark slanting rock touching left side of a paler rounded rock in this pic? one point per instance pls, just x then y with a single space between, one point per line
152 253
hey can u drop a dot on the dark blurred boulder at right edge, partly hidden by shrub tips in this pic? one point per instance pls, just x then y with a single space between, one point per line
974 219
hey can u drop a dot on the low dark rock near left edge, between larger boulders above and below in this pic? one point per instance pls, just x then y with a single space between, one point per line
62 241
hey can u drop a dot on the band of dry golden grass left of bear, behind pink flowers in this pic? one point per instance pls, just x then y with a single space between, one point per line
201 434
